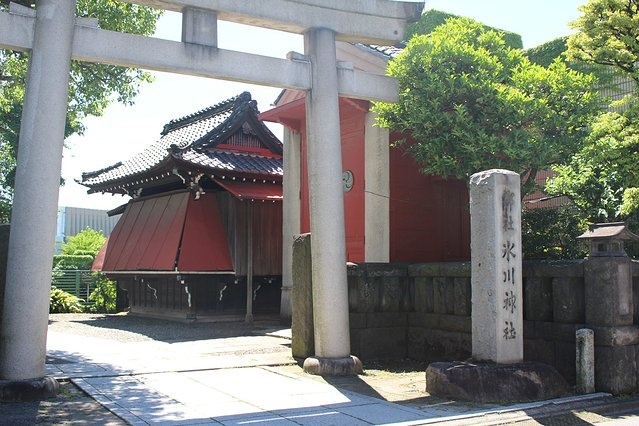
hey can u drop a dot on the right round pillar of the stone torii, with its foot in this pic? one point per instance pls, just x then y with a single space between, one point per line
328 244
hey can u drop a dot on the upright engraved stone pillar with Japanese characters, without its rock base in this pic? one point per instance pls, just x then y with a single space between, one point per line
497 311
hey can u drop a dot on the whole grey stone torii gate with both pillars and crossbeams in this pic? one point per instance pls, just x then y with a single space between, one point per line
54 36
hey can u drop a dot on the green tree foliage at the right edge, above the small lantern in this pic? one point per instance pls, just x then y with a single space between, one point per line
603 178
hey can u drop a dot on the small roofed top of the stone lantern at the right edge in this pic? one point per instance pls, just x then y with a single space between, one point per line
607 239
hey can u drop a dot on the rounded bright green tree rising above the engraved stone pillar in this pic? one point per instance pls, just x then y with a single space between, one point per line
470 103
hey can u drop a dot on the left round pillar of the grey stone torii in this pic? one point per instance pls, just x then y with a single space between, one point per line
33 224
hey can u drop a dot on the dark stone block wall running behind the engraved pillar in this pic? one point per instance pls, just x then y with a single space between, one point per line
422 312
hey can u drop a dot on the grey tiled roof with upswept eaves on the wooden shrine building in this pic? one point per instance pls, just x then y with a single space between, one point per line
193 138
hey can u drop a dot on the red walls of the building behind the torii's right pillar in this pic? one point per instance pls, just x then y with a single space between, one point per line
429 216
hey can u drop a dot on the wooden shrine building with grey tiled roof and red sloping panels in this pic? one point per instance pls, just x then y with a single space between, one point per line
204 225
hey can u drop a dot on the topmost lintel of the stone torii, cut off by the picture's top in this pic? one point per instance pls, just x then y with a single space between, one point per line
367 21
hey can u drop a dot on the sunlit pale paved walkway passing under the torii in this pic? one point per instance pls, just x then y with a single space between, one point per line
236 380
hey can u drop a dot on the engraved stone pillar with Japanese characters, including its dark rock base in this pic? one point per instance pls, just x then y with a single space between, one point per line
497 311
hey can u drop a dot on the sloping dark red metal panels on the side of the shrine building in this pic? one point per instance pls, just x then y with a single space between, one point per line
172 233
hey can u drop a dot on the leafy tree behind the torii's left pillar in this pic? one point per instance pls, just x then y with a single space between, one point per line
92 86
